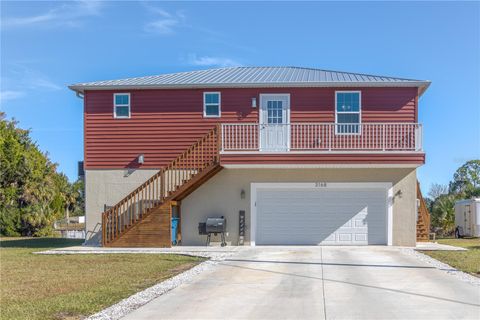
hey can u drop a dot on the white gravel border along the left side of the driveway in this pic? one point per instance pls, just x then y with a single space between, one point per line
138 299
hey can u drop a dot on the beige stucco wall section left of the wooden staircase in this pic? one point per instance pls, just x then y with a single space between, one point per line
107 187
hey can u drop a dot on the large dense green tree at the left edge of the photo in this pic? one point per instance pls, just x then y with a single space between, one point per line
32 194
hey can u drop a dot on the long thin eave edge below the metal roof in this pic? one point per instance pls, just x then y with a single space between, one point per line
422 85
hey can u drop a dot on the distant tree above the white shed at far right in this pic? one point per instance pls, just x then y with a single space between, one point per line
466 180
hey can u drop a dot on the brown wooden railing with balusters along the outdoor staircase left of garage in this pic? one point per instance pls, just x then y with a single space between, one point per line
161 186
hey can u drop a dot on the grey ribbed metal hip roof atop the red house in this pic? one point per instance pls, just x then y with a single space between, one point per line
253 77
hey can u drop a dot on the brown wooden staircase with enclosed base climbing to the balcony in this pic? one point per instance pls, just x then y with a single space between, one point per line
143 218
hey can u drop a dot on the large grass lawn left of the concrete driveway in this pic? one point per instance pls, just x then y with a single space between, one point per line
74 286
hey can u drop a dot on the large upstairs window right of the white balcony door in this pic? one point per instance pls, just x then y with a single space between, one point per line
347 112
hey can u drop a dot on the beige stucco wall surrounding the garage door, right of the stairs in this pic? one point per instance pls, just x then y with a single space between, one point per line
221 196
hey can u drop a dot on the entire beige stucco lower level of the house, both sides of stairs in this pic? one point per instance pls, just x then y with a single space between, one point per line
222 196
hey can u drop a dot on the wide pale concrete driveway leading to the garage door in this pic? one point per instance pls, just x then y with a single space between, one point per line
318 283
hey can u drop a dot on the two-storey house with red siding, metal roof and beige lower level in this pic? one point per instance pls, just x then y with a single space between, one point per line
287 155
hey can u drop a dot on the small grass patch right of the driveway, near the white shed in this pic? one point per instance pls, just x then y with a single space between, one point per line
467 261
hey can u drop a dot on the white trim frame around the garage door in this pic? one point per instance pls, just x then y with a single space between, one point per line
387 186
